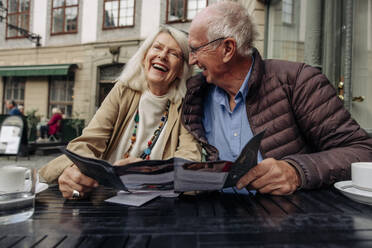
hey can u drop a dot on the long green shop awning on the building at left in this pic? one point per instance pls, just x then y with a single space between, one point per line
36 70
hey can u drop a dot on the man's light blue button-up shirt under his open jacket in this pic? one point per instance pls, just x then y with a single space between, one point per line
229 131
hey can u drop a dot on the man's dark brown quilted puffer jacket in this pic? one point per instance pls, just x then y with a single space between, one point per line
306 123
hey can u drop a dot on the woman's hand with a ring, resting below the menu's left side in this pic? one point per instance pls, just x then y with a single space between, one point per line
72 179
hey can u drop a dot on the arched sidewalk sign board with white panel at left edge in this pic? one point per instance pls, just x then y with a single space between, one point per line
13 137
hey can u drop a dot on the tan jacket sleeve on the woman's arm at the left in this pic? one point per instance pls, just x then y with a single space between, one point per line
94 139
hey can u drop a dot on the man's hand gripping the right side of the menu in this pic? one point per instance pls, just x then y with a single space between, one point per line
271 176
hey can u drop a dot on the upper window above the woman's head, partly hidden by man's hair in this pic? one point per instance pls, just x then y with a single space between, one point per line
184 10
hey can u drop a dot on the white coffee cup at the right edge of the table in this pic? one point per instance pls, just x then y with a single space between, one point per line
361 175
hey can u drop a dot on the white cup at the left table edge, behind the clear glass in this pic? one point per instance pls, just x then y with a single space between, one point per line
12 178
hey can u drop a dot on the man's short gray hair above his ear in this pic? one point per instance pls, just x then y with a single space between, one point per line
231 19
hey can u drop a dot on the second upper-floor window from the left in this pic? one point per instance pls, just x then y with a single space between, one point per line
65 15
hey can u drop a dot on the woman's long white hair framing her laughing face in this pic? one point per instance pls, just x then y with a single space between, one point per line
133 75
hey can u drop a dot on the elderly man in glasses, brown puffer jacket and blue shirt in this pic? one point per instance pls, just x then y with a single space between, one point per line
310 138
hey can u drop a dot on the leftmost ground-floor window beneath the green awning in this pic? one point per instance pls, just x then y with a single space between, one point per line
14 89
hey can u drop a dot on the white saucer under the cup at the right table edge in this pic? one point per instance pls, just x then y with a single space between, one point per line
361 196
